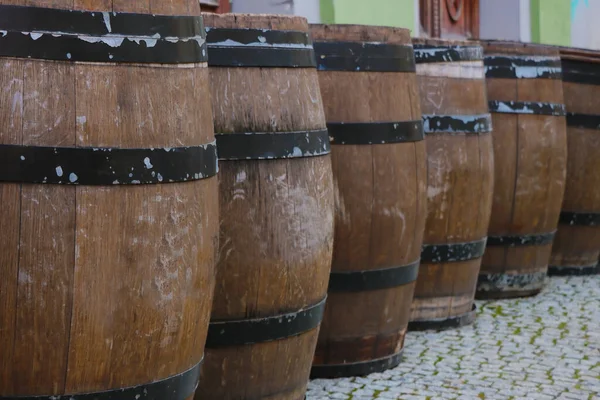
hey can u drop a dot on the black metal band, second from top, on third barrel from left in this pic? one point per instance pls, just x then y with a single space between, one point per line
375 132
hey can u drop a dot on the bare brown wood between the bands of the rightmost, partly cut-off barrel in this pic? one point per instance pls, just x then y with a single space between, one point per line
580 245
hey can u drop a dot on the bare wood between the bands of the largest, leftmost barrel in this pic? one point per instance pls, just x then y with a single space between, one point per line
104 287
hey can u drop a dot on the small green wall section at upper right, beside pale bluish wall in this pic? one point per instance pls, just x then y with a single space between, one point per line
551 22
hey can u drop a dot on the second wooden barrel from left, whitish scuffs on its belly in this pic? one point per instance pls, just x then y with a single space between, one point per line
276 200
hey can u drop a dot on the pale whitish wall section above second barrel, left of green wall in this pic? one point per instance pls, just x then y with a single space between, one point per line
309 9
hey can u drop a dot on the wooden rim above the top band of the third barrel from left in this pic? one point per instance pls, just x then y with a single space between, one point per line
360 33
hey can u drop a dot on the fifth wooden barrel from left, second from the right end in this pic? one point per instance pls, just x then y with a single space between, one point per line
530 152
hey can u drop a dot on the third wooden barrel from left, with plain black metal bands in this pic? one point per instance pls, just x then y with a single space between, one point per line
368 80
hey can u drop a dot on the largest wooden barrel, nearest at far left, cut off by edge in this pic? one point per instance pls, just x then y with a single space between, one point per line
109 199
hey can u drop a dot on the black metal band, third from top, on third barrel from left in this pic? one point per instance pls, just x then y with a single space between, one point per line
360 281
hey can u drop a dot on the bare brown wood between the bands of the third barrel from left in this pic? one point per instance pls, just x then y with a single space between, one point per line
380 203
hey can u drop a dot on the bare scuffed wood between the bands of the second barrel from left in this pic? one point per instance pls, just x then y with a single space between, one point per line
276 228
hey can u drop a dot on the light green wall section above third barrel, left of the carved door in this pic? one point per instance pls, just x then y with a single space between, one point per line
400 13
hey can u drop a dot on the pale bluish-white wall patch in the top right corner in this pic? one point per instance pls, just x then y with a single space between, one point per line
585 24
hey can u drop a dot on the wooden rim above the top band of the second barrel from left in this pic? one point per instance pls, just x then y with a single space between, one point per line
255 21
